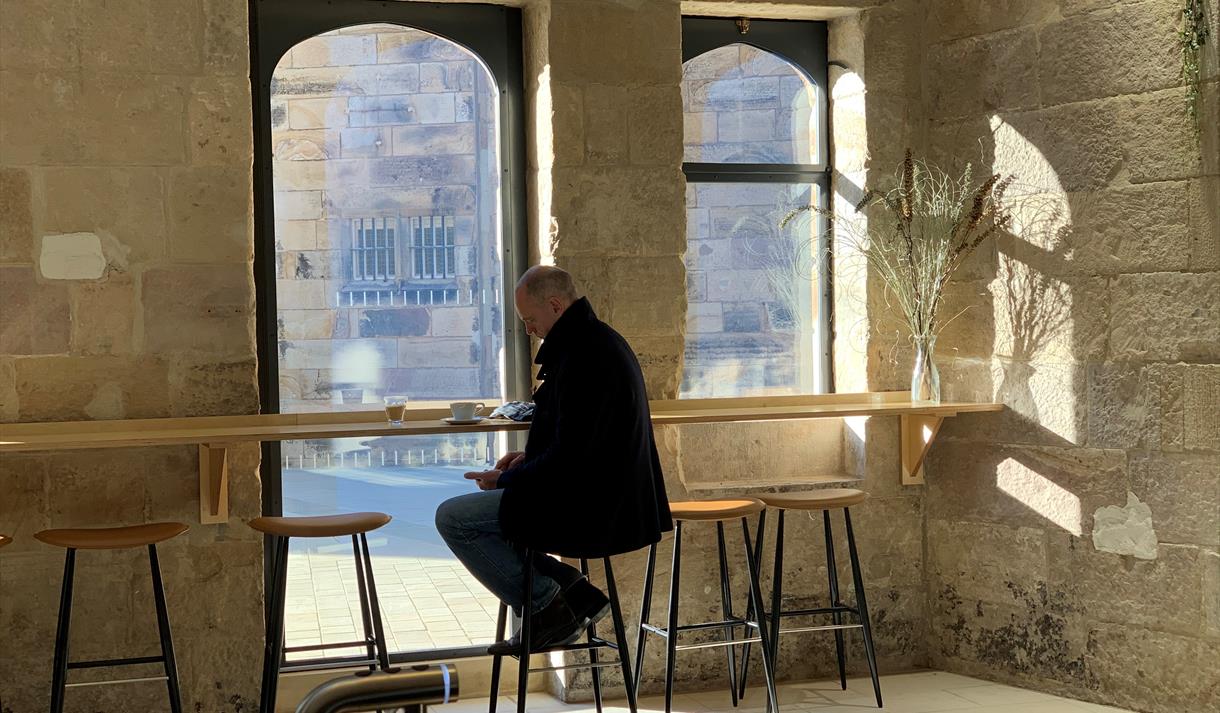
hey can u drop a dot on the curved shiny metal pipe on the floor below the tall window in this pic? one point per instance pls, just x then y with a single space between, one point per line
380 690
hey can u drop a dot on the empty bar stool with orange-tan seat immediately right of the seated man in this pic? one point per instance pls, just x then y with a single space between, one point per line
718 512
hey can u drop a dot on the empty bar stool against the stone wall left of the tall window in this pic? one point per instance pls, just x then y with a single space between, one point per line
113 539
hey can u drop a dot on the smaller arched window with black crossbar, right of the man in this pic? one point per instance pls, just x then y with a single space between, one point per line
756 148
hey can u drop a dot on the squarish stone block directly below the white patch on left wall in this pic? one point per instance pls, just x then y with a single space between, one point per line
104 317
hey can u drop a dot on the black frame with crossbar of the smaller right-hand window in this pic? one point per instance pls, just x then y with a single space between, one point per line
805 45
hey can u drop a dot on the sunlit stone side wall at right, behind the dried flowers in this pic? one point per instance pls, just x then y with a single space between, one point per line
1105 342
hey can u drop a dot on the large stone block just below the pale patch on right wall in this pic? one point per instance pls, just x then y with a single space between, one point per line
1119 589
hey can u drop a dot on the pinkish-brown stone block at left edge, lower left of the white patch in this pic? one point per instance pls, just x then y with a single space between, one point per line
37 316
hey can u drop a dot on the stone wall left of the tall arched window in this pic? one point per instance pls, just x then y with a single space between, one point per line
129 125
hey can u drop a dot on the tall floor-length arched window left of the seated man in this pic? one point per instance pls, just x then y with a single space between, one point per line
390 235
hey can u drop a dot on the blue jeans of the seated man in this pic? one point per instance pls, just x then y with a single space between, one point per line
470 526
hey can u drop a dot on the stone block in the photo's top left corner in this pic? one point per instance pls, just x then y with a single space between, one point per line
35 36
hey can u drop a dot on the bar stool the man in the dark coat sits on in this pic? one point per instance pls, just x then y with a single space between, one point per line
594 643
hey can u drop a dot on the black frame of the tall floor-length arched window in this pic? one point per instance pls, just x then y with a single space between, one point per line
491 32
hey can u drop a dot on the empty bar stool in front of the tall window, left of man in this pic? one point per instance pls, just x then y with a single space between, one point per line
281 530
